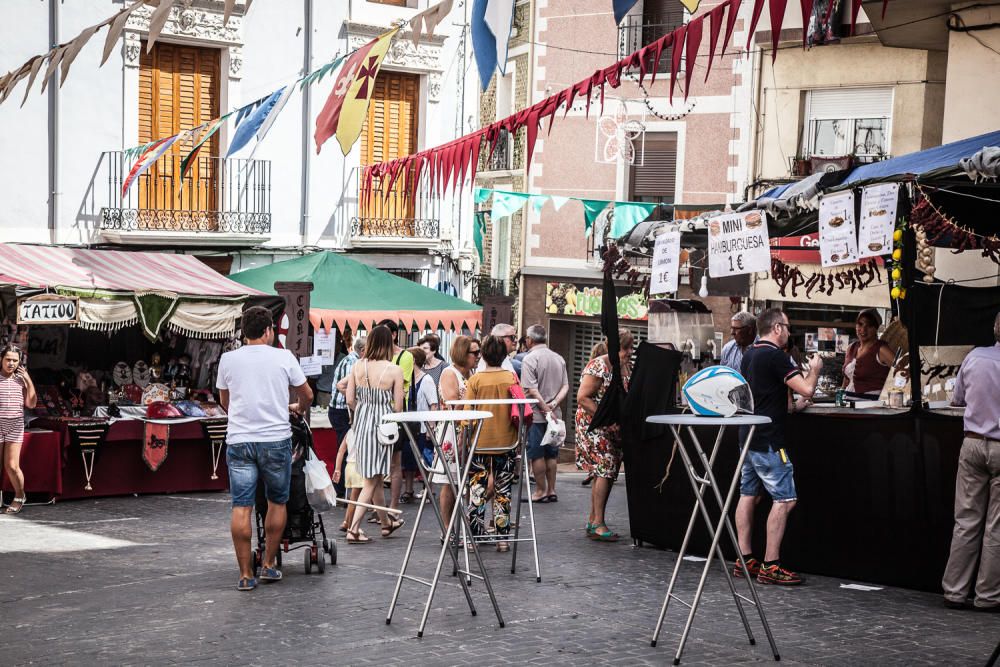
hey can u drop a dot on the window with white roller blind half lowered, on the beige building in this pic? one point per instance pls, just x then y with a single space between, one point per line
848 121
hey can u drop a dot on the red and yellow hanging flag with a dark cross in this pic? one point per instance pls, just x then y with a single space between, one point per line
345 109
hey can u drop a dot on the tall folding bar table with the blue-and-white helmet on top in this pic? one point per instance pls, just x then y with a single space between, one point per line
700 480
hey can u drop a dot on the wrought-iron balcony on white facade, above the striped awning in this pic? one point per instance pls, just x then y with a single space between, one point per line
219 202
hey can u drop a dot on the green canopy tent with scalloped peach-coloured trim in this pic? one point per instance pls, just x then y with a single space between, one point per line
347 293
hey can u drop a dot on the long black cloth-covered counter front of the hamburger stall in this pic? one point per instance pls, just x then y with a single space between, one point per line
876 491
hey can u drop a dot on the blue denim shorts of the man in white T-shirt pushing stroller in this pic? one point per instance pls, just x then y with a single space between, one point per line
270 461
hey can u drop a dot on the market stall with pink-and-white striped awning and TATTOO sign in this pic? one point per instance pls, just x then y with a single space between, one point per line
122 347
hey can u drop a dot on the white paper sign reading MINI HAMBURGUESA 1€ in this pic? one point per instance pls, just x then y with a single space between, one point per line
738 244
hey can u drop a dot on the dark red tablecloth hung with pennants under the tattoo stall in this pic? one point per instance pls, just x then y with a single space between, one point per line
120 470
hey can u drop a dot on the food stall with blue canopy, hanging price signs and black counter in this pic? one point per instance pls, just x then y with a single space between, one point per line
916 237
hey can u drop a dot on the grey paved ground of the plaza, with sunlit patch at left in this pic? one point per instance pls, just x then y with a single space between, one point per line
151 580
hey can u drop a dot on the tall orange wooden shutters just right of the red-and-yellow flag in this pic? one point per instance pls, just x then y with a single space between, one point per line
389 132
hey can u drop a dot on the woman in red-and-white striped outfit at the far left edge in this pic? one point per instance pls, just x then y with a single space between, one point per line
17 392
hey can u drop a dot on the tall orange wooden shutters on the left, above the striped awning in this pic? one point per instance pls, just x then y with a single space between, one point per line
178 90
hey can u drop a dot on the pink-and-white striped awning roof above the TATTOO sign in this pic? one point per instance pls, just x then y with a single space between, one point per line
111 270
